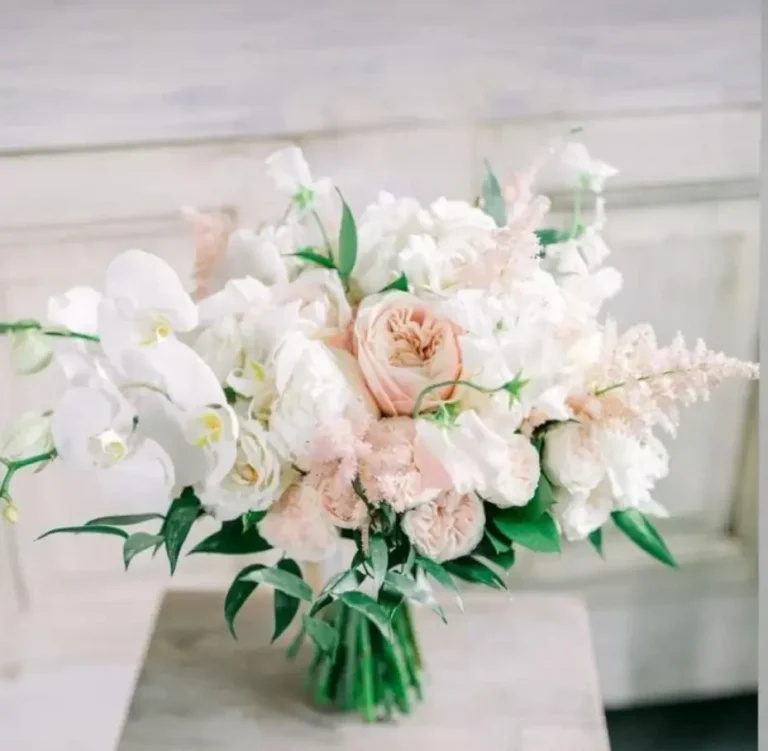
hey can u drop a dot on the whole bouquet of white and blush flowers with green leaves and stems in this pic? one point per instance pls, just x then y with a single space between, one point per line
433 386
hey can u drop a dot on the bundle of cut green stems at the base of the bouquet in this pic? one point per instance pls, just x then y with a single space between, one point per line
368 673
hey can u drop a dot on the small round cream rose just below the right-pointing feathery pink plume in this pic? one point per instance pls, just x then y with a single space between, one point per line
572 457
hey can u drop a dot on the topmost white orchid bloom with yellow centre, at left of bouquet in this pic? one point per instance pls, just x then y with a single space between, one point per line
144 305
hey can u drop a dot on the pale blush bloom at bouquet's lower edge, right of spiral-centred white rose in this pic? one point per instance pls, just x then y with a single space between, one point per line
297 525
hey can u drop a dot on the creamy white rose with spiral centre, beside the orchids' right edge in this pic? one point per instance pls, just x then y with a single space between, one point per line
253 483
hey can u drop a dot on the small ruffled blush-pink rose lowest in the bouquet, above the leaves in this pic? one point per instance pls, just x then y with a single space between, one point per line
446 528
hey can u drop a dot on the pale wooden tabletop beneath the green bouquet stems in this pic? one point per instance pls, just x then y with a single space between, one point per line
510 674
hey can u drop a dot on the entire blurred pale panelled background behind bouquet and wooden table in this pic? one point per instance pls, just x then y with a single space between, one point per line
115 115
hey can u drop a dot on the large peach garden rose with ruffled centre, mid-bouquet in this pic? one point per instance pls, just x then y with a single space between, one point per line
403 347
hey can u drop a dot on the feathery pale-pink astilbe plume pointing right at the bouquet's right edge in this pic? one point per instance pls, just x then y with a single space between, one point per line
643 385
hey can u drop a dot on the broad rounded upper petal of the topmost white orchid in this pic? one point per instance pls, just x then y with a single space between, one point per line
140 281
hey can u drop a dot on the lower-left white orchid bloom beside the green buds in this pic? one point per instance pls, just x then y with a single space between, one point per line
93 428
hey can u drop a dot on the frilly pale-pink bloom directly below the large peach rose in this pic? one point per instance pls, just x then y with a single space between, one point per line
395 471
